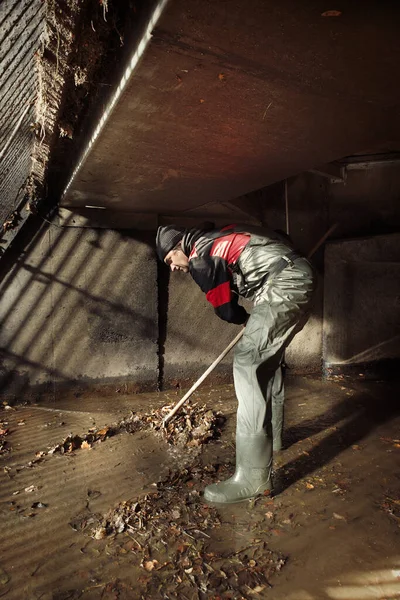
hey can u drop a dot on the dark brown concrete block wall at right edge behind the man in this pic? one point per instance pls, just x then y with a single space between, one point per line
362 307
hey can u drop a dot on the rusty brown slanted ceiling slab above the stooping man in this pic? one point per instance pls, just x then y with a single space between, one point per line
231 95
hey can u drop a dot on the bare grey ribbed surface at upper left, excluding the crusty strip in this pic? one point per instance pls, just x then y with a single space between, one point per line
21 30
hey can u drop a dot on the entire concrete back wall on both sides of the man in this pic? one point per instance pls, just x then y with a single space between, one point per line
92 306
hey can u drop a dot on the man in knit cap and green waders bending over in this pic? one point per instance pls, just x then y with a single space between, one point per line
261 265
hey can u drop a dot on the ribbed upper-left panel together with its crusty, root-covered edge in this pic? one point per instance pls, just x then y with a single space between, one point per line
36 38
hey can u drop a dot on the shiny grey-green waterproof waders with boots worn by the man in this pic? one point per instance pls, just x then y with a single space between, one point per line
281 285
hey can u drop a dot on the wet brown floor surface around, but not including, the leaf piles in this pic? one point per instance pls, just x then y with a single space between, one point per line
331 530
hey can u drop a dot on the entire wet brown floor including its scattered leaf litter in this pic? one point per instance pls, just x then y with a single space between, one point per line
335 513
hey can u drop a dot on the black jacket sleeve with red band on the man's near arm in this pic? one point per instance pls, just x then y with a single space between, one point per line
214 278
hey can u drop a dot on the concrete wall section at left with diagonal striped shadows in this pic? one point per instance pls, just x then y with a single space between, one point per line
80 305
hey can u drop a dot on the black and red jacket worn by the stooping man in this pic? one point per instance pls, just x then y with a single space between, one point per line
212 256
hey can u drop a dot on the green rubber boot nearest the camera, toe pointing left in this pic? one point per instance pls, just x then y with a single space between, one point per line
253 471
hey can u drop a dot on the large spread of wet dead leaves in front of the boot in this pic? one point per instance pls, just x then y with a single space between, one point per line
174 537
